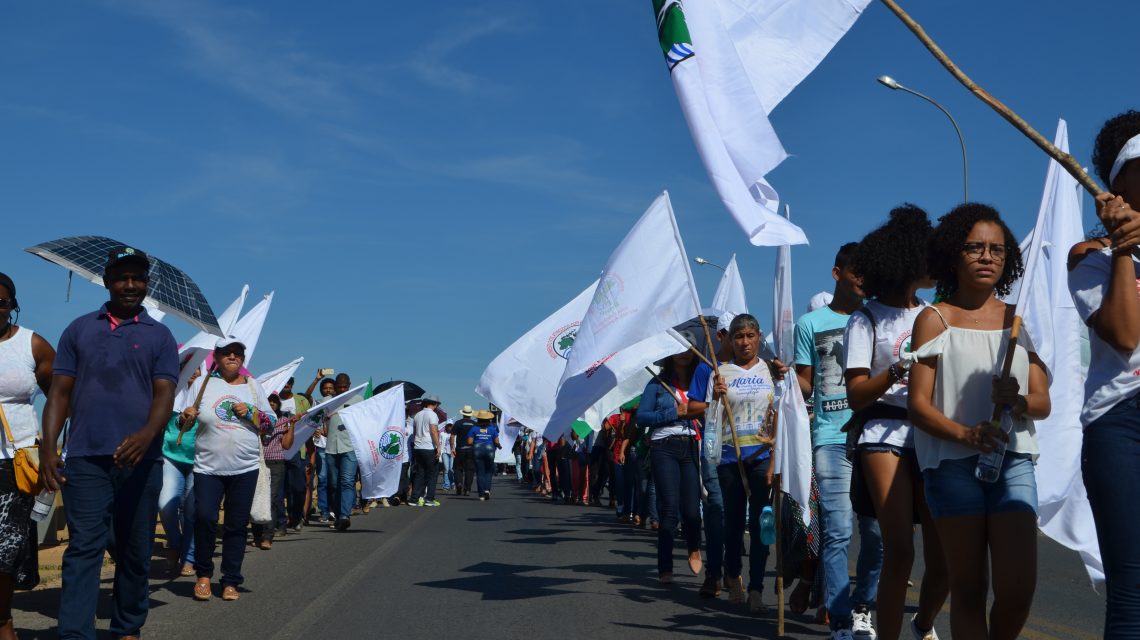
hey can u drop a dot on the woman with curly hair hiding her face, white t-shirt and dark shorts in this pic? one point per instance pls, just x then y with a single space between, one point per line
892 261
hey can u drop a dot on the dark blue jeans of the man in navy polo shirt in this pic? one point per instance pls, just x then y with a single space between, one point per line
116 507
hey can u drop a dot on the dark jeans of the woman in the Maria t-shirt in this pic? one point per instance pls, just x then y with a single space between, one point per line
732 489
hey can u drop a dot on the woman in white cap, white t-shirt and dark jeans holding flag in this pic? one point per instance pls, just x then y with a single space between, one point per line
233 414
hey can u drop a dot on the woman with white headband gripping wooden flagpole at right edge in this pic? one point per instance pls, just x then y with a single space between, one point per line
1105 283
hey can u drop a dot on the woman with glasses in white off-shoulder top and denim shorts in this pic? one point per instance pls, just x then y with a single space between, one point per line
960 344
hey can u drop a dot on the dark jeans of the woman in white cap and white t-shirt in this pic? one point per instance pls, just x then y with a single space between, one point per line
209 492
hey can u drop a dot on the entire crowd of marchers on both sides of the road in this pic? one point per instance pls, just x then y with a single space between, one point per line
903 434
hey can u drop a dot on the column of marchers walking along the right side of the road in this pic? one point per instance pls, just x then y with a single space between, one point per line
905 430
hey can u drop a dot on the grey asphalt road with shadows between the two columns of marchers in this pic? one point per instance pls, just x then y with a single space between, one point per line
514 568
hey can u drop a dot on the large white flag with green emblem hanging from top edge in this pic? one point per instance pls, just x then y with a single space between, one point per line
731 64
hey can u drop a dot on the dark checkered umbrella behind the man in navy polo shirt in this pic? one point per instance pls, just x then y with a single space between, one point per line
169 289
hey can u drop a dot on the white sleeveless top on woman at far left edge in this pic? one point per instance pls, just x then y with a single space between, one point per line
18 392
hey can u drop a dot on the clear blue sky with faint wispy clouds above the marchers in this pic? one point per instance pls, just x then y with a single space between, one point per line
422 183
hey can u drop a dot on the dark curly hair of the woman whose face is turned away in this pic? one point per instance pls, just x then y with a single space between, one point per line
894 256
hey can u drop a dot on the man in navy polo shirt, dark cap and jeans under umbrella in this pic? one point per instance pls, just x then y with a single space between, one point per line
115 375
